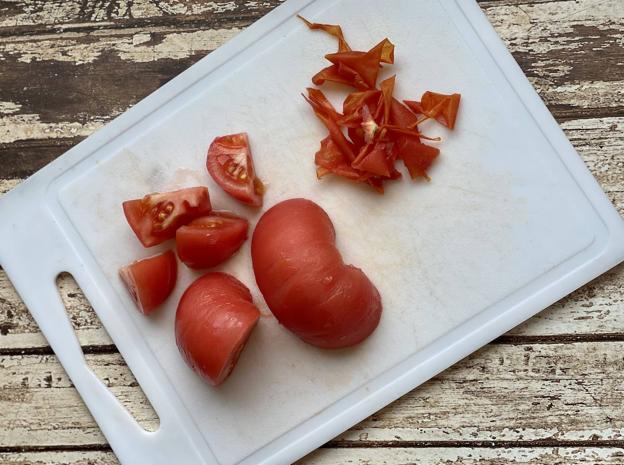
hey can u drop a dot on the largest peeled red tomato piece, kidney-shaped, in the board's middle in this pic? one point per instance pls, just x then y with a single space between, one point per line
304 281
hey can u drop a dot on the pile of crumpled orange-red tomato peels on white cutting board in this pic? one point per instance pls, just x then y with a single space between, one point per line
379 128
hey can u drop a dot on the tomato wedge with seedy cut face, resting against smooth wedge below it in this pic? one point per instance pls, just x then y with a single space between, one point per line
156 217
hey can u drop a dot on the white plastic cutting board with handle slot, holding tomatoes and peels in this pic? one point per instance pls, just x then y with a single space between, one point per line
510 222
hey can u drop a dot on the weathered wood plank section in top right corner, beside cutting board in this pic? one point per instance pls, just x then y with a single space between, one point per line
572 51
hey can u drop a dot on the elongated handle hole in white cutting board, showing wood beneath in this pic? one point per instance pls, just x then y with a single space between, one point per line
102 355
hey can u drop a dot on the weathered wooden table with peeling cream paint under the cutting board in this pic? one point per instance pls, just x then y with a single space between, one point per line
551 391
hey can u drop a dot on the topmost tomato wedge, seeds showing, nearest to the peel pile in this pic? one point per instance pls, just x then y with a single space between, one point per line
230 164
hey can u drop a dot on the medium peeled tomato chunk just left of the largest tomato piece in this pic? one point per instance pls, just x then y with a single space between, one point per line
214 319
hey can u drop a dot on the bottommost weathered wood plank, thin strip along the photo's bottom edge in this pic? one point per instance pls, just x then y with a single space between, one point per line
380 456
